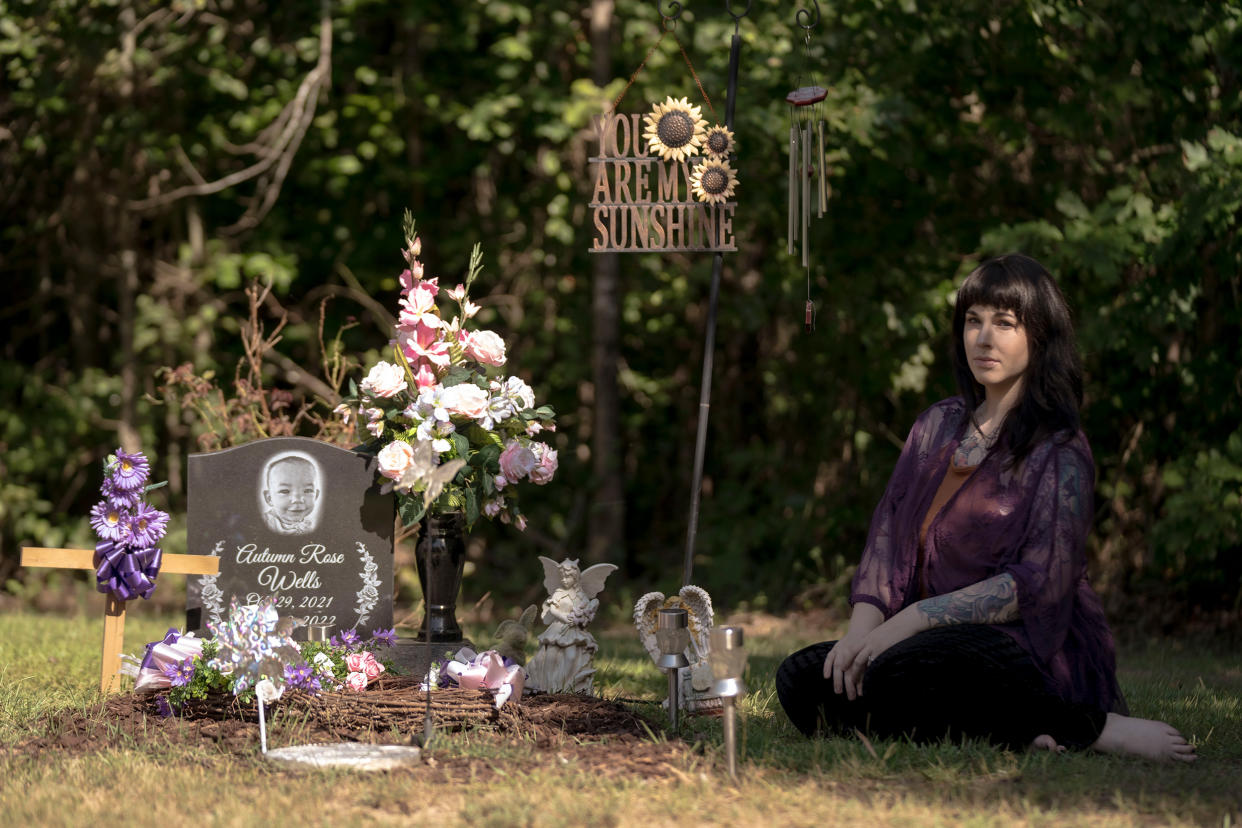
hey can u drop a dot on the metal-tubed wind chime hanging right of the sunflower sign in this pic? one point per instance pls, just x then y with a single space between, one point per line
808 179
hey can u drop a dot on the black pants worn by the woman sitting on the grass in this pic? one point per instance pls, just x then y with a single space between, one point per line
951 682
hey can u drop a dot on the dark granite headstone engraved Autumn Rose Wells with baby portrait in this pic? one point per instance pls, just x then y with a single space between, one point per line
297 520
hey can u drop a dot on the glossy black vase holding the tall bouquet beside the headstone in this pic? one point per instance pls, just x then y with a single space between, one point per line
442 554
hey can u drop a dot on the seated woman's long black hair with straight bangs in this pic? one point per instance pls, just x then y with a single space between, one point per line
1053 387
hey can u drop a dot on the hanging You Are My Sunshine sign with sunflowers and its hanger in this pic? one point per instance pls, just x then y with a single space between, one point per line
665 181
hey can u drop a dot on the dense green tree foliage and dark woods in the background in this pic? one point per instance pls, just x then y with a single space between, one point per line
156 158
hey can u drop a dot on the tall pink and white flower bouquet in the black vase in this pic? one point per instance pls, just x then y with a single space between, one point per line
453 433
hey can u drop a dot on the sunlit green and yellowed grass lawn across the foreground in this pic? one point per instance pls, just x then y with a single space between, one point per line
49 664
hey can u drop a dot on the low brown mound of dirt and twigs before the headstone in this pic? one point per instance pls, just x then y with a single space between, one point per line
564 729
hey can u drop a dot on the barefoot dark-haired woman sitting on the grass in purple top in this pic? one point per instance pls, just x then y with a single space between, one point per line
972 610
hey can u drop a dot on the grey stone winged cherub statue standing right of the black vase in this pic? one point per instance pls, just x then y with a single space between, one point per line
563 664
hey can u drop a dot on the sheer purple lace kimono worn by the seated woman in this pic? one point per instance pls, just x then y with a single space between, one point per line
1030 522
